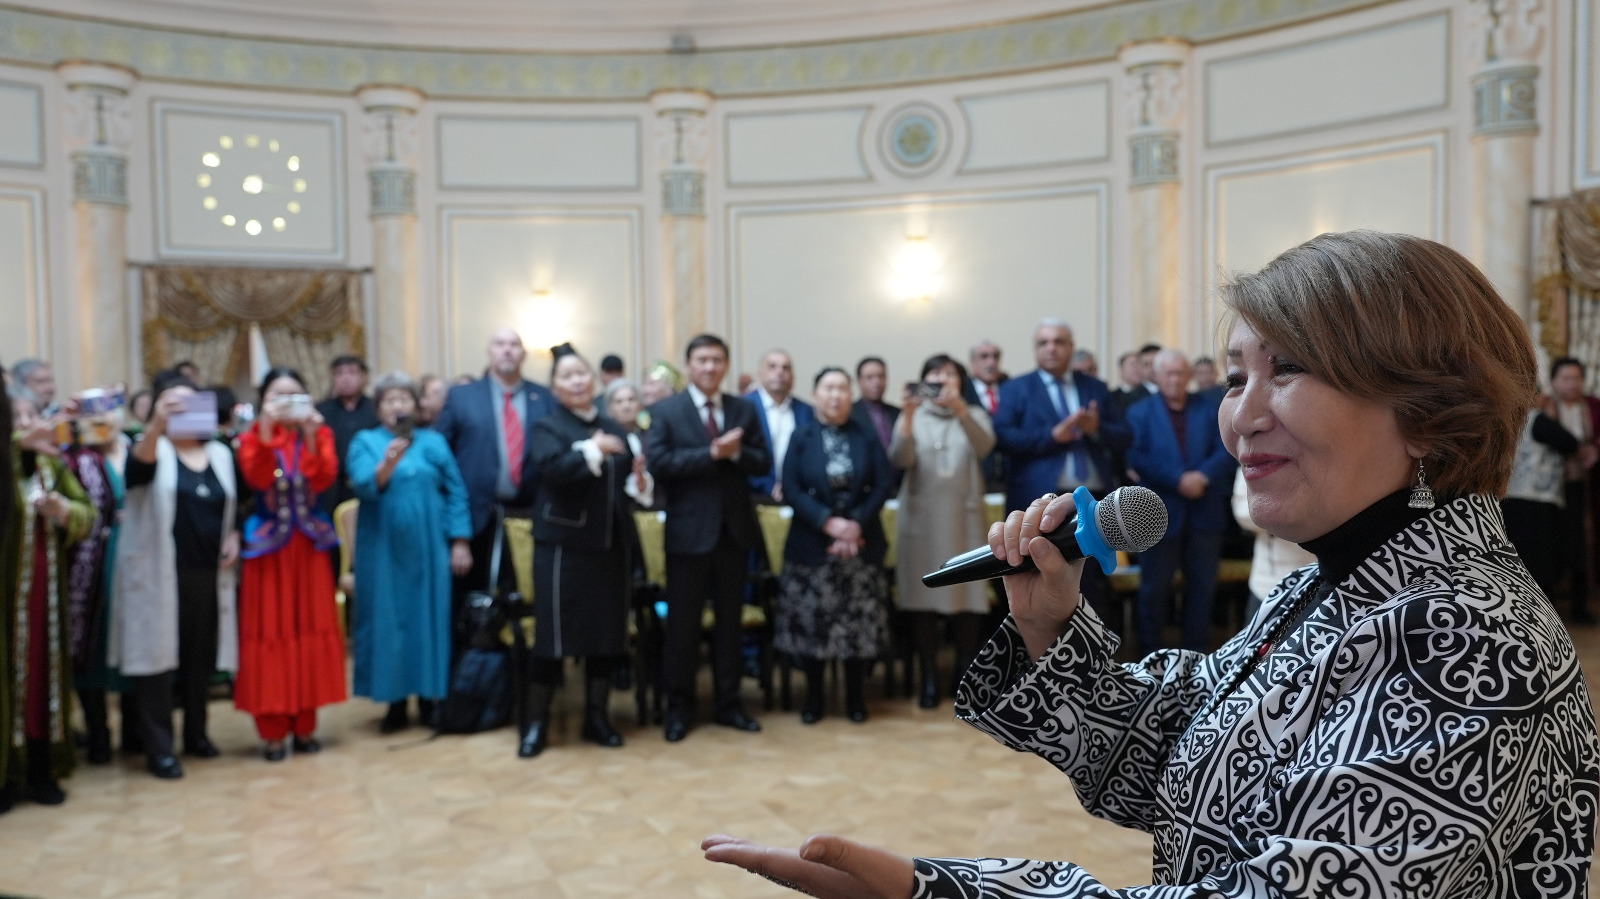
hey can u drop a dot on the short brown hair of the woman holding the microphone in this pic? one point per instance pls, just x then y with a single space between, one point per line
1409 324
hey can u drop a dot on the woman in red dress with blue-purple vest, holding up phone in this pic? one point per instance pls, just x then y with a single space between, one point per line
290 647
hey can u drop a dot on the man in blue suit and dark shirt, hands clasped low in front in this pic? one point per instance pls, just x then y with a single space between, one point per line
1180 455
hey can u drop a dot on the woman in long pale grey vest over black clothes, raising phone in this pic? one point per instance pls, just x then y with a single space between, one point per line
175 578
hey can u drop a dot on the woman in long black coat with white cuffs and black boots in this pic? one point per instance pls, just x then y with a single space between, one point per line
583 532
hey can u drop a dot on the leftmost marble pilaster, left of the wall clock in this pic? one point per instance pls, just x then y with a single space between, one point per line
98 135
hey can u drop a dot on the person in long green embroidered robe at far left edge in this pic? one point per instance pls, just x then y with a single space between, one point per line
52 513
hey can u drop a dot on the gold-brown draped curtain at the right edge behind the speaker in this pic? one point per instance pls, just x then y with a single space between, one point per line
1567 279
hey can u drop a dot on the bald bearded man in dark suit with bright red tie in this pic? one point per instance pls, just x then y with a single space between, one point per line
489 423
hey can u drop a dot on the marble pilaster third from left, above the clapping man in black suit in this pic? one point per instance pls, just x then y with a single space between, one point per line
684 154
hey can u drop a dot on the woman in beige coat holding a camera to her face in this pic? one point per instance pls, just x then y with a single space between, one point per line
940 441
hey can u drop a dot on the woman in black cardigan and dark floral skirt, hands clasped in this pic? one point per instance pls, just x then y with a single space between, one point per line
833 597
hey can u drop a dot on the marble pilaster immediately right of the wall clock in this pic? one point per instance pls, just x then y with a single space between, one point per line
390 142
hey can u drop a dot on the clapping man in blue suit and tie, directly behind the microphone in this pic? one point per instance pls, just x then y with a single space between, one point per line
1058 431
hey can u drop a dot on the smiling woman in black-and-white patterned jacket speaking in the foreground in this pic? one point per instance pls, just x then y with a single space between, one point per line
1406 717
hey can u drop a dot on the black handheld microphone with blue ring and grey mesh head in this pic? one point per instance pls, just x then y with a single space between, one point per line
1130 519
